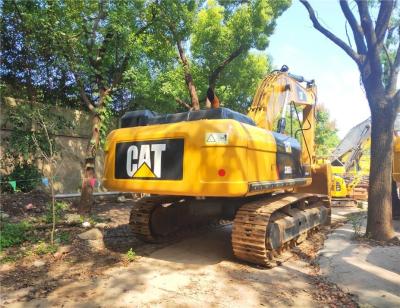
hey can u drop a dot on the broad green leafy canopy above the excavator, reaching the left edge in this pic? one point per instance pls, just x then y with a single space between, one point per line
83 46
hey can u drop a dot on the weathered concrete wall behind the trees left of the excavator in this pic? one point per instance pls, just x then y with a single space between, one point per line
72 142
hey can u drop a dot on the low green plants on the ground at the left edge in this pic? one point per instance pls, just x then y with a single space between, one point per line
13 234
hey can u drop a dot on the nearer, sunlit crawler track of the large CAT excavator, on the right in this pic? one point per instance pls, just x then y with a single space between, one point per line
254 233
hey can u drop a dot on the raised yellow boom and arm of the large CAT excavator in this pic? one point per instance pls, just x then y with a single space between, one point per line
286 103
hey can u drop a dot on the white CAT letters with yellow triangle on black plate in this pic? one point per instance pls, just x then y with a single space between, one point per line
139 162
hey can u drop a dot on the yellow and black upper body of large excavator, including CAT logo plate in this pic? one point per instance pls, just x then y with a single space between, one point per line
207 158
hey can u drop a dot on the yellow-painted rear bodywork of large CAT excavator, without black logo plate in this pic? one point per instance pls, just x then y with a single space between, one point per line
249 156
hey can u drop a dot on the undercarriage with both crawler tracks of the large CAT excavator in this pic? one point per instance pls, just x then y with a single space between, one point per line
263 228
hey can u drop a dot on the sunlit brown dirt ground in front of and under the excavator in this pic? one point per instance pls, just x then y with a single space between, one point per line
198 269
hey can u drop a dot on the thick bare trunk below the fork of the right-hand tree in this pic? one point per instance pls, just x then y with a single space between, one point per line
379 225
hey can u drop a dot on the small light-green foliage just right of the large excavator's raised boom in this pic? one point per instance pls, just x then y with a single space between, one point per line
326 138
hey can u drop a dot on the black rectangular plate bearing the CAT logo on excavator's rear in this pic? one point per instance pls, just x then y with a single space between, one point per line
149 160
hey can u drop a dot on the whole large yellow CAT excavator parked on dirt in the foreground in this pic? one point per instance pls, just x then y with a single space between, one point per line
207 165
